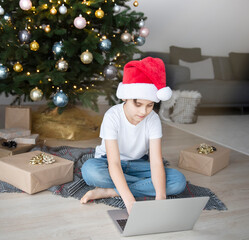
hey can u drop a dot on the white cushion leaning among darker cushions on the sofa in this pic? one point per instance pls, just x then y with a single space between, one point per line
199 70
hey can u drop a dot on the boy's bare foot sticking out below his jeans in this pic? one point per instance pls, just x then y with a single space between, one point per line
98 193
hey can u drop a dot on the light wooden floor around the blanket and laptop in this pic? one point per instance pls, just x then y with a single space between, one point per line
45 216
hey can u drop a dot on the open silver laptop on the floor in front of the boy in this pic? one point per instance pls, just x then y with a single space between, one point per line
159 216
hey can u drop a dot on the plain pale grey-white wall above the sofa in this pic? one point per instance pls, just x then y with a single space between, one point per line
216 26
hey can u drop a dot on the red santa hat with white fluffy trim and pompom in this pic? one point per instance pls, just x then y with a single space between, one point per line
144 79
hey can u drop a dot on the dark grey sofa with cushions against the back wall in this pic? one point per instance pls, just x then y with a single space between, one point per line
222 81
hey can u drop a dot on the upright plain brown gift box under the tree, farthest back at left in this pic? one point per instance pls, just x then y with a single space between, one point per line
18 117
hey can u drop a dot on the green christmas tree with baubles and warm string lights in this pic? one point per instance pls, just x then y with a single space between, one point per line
66 51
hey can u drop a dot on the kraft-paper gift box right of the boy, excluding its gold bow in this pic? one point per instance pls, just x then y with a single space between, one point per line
206 164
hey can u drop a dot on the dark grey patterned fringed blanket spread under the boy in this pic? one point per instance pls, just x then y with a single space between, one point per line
77 188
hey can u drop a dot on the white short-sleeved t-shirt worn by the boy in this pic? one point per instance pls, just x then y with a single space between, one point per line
133 140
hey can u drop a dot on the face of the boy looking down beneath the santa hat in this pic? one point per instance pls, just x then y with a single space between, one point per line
136 110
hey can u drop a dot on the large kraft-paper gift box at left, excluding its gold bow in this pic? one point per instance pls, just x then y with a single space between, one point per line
17 171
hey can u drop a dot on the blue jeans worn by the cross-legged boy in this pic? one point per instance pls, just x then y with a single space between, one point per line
137 174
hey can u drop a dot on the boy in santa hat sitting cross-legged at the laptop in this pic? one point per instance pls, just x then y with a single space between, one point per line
129 132
